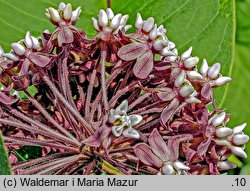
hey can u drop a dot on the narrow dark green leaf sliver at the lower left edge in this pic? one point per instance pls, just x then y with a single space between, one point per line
5 166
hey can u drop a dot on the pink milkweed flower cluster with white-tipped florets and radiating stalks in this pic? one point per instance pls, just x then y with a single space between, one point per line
119 102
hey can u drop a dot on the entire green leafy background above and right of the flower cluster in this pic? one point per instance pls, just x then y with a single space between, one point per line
218 30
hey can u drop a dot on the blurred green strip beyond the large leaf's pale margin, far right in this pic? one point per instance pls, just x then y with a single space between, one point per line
237 99
